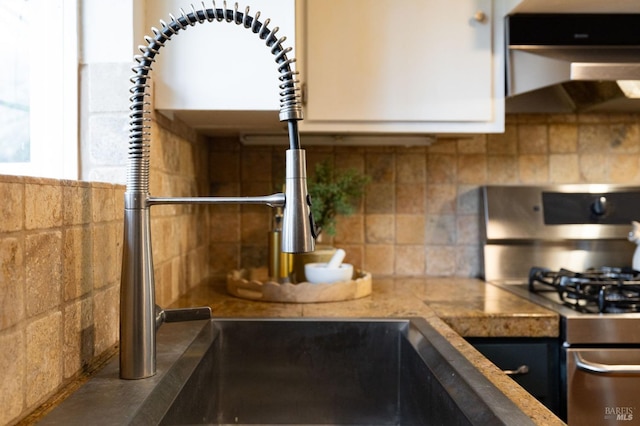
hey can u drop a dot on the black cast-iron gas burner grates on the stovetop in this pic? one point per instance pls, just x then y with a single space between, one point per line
602 290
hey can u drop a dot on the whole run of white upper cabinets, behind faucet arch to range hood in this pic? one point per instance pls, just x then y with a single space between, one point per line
402 66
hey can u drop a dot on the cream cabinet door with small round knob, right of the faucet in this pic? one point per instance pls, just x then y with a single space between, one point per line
408 62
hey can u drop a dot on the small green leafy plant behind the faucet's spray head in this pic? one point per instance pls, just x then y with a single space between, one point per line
334 192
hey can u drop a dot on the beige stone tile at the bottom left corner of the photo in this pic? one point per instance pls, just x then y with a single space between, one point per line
12 375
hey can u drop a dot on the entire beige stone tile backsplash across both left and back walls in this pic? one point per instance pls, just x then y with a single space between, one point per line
61 241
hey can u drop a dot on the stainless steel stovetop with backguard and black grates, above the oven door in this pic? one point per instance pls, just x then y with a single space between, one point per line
568 229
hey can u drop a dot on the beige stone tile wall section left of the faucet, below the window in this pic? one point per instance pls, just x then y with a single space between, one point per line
60 248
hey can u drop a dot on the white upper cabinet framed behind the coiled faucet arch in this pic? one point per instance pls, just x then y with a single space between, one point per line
218 75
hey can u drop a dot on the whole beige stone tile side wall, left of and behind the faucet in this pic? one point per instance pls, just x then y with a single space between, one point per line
60 260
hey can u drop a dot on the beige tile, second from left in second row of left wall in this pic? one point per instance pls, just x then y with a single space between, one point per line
43 264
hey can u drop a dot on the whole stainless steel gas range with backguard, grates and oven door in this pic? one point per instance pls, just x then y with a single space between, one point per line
566 248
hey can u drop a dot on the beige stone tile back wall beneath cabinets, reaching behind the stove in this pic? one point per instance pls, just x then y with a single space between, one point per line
421 213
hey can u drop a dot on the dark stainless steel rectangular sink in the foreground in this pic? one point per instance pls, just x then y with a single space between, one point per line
318 372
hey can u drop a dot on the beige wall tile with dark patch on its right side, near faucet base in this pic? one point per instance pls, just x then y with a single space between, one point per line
79 336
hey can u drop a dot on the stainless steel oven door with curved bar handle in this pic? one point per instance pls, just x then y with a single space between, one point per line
602 386
